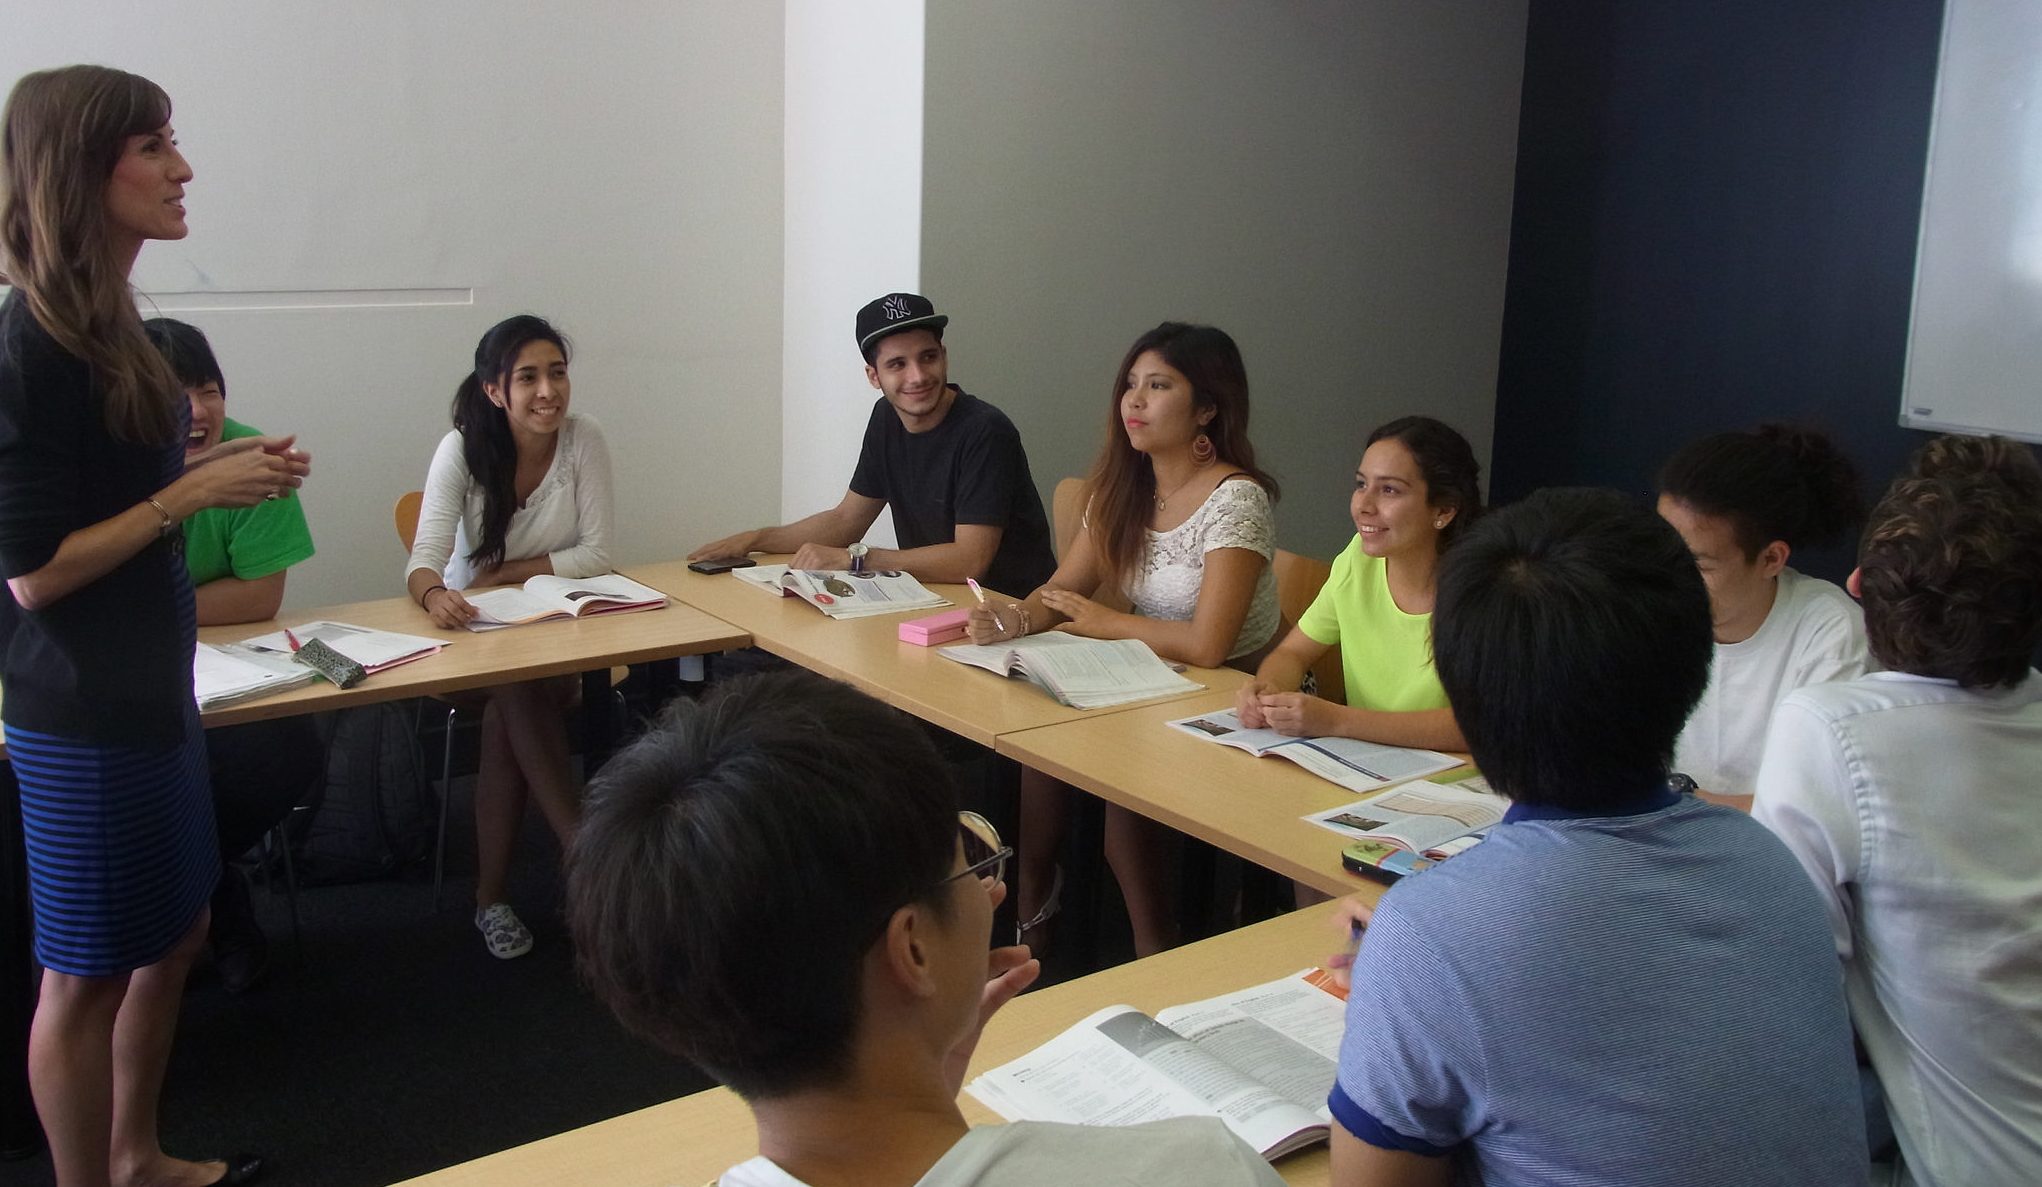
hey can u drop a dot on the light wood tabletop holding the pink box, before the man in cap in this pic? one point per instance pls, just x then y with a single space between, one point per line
871 657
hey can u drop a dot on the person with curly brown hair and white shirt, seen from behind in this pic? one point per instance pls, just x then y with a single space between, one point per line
1910 798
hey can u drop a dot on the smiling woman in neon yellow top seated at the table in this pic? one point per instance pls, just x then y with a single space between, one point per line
1414 493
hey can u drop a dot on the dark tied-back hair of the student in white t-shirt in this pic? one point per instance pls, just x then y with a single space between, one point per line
1771 483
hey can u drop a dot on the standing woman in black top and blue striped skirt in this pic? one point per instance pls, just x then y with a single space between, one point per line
99 628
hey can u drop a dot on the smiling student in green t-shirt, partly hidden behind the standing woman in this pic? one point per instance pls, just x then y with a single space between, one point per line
240 561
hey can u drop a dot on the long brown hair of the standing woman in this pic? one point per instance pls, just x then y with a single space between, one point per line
64 136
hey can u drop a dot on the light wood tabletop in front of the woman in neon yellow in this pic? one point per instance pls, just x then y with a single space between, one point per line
1226 798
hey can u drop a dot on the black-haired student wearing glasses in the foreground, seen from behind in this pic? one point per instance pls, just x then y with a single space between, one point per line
775 884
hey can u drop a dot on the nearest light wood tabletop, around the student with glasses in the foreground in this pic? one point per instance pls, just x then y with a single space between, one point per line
695 1139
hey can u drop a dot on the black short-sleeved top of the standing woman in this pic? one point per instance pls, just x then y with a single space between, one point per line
111 663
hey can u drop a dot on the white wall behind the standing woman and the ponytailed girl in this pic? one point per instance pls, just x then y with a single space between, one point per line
377 183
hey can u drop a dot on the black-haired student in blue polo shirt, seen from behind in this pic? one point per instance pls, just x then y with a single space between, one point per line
1622 986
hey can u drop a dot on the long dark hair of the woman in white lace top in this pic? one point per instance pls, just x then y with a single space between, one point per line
1122 491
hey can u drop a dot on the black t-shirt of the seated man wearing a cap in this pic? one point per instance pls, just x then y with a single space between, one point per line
971 469
